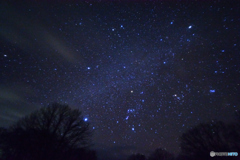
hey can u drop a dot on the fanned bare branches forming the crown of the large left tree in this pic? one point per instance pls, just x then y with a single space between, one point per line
60 120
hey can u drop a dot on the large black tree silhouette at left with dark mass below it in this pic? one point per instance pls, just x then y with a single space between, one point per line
52 132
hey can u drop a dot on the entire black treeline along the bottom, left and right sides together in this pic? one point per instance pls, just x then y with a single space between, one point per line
58 132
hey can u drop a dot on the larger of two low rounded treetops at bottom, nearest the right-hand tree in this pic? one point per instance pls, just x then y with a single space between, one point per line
161 154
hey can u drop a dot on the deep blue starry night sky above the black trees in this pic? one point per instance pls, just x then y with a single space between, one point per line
142 72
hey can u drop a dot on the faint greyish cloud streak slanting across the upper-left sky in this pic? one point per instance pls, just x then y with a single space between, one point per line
29 35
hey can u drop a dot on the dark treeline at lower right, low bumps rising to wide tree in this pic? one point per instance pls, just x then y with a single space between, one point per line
199 141
